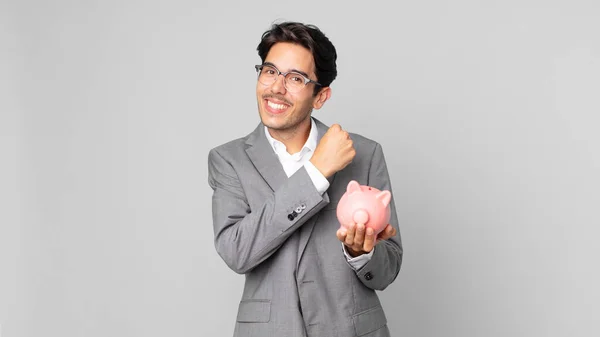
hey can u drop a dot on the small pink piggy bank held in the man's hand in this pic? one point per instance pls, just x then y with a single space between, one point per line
366 205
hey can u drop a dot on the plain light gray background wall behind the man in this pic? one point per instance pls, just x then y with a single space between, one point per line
487 113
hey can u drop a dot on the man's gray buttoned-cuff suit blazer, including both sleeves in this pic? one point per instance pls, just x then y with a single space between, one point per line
281 234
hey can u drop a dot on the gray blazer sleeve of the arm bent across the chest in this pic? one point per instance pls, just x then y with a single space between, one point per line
245 237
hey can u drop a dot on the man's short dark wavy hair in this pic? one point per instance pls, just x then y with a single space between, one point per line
311 38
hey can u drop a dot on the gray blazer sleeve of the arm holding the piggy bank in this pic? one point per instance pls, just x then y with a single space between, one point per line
384 266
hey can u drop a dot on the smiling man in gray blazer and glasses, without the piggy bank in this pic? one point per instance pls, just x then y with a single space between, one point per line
274 204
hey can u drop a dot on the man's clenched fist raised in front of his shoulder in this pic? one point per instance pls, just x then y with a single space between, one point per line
334 152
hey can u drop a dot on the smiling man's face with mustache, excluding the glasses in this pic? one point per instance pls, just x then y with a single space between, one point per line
282 110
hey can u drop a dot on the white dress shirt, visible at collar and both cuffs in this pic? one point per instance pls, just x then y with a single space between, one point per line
292 162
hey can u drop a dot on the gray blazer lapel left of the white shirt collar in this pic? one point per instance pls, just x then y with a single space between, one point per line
264 158
